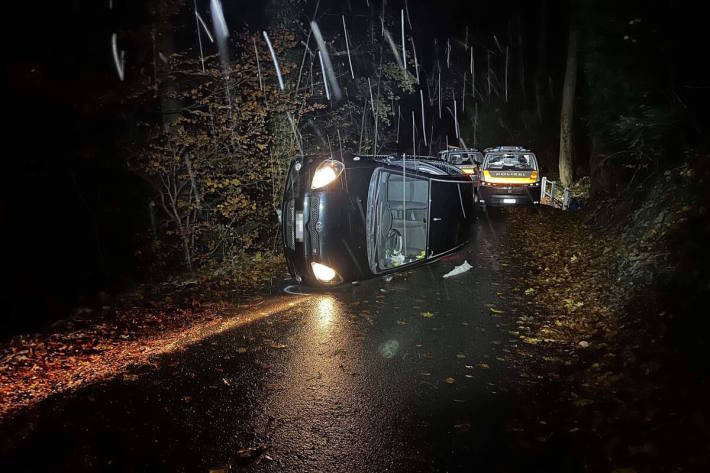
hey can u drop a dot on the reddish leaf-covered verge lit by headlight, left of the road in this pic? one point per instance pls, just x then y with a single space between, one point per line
104 342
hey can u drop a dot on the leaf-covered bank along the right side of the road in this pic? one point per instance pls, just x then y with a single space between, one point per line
596 333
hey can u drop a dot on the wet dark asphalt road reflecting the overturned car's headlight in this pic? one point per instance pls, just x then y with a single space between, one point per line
406 375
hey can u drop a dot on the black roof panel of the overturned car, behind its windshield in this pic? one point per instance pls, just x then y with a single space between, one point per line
447 216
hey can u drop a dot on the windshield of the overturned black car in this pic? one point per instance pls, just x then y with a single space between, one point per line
397 220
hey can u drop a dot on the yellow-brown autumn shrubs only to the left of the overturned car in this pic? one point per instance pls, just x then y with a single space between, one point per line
217 169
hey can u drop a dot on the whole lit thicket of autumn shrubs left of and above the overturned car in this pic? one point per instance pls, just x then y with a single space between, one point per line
217 170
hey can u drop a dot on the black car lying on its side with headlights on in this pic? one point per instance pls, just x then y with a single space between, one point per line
364 216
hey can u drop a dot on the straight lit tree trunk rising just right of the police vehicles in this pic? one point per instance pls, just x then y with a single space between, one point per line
566 160
